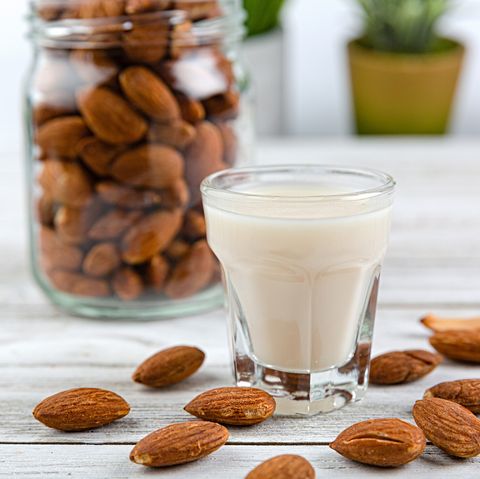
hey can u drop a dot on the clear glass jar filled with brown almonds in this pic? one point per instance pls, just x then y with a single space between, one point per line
130 105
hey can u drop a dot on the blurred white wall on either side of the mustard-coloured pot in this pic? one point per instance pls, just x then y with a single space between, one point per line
317 31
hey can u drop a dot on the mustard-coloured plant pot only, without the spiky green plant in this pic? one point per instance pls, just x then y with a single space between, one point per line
404 94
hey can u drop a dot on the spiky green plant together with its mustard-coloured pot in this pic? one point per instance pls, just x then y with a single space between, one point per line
403 73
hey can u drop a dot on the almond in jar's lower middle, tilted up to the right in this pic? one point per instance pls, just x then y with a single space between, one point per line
149 236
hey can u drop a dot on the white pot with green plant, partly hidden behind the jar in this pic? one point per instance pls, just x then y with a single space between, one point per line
264 55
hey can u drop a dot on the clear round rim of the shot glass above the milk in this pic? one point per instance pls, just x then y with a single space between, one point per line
386 182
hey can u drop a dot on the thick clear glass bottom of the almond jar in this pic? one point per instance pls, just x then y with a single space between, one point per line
114 308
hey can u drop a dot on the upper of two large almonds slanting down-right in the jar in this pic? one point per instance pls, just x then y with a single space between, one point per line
149 94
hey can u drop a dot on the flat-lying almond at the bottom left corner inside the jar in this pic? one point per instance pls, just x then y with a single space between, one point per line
79 284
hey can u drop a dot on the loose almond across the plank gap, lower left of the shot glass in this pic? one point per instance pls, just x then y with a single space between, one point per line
179 444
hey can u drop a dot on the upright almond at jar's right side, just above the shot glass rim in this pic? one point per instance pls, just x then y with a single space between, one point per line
203 157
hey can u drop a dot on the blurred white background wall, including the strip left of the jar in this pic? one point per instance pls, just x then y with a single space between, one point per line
316 95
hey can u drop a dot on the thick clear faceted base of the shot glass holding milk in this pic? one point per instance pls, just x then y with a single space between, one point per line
307 394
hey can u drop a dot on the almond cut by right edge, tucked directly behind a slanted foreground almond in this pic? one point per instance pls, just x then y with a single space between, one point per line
465 392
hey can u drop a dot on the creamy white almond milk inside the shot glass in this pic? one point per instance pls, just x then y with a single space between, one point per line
302 281
